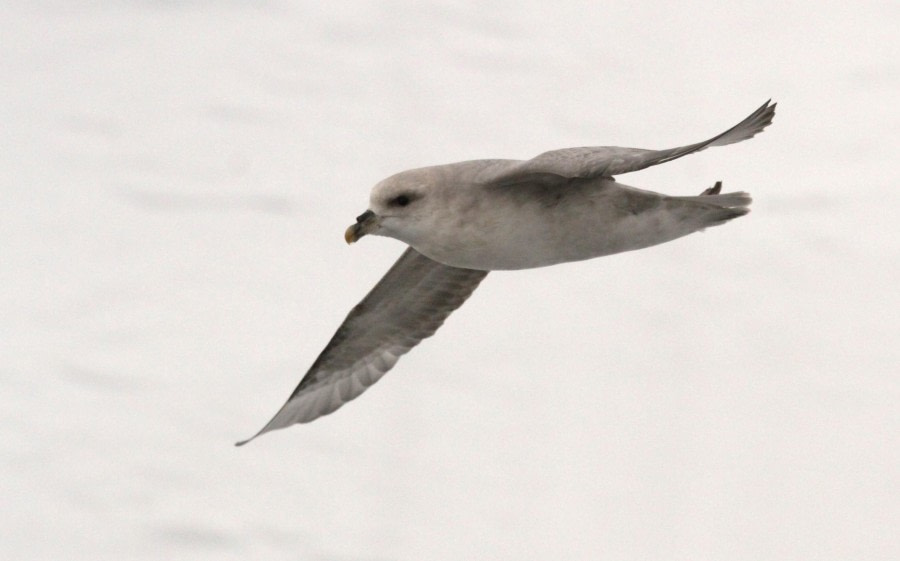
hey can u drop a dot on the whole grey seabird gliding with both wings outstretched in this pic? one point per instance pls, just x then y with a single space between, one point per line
465 219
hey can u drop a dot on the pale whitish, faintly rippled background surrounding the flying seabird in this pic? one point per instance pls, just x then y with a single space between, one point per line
175 178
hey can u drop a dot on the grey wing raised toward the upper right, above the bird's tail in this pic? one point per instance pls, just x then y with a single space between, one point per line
607 161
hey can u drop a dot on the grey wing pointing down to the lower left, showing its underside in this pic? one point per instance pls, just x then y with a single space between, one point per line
407 305
